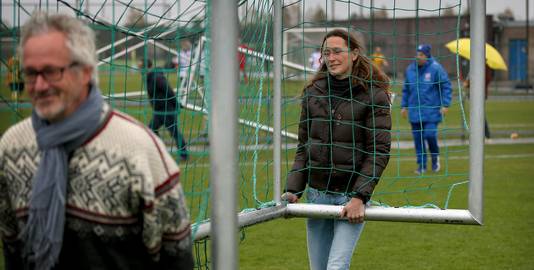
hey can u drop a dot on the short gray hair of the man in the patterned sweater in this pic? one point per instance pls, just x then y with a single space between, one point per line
80 38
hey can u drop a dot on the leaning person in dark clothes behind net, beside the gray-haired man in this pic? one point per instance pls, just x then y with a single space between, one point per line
165 106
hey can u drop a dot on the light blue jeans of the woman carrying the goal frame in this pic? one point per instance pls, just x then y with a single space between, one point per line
331 242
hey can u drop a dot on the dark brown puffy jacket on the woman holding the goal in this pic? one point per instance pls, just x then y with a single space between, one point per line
345 147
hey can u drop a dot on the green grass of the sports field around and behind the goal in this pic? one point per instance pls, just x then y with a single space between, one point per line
505 241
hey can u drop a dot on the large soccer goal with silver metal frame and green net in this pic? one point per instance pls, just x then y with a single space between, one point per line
242 66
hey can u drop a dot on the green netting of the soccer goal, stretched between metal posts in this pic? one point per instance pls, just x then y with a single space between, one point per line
163 31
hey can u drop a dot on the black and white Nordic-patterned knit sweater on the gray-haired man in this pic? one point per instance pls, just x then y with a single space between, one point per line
125 204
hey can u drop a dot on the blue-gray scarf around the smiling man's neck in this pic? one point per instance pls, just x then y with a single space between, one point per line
43 234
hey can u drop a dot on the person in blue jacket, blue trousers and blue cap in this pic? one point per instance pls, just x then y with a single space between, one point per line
426 97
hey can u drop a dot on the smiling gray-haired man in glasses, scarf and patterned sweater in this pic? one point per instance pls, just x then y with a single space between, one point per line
83 186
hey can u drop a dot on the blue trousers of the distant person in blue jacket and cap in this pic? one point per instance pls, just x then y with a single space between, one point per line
425 133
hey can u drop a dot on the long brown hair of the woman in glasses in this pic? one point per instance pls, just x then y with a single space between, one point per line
364 72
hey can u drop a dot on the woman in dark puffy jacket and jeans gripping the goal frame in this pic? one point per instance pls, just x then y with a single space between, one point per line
344 144
